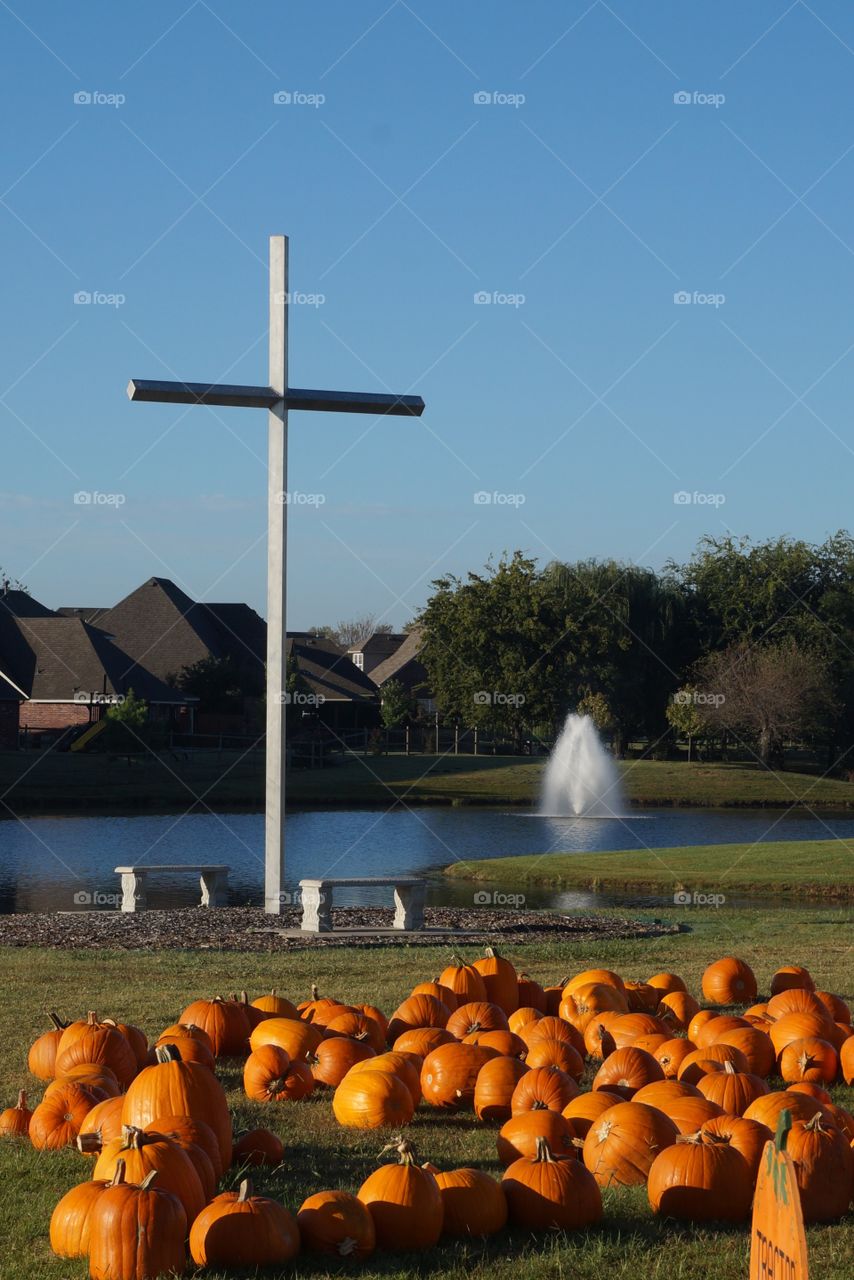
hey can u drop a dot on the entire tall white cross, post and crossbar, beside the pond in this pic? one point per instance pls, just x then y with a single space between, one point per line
278 399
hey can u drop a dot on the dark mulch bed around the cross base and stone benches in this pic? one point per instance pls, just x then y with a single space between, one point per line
249 929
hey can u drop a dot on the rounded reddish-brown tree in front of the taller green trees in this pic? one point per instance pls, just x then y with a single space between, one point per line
769 693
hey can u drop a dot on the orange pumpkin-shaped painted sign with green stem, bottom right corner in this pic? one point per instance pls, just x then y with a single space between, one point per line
778 1241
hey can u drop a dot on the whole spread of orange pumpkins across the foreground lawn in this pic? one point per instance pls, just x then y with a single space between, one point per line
679 1100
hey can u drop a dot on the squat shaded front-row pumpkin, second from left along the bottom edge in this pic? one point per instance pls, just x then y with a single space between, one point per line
239 1229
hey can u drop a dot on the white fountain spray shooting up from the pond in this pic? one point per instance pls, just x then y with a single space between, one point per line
582 780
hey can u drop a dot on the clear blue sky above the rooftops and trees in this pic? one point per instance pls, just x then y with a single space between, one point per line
597 198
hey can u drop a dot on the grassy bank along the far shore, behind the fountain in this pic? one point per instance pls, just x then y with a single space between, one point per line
66 784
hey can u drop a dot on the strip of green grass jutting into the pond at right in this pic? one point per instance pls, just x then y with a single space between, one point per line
816 868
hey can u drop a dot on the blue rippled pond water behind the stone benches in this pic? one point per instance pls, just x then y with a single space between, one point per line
66 863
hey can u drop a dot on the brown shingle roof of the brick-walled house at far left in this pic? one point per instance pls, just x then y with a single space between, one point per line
60 657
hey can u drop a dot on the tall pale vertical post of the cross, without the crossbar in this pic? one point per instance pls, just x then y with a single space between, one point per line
277 575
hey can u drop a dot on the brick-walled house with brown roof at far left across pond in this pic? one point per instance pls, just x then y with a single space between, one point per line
65 671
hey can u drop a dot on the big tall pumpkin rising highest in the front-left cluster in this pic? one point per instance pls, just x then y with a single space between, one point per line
172 1087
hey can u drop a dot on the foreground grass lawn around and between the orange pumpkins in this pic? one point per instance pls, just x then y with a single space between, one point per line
152 990
